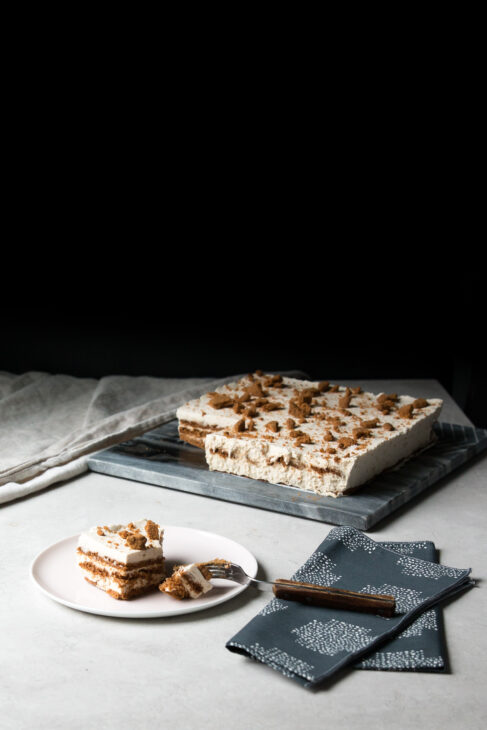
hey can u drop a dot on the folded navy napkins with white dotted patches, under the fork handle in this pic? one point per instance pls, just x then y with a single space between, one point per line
309 644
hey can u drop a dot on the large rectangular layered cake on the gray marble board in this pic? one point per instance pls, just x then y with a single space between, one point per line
328 439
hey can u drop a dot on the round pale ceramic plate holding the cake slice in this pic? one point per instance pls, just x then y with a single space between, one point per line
56 573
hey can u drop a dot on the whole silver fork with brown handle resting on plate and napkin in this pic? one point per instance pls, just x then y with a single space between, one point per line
291 590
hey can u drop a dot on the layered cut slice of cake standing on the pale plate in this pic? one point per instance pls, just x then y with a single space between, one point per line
123 560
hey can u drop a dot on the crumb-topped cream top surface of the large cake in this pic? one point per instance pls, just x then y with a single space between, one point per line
308 416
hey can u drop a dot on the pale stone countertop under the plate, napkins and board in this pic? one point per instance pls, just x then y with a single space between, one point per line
62 668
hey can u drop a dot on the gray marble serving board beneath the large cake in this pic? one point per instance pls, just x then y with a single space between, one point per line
160 458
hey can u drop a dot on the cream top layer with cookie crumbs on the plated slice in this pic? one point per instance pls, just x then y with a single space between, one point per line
107 542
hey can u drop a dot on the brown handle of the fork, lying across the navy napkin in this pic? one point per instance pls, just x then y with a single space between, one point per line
291 590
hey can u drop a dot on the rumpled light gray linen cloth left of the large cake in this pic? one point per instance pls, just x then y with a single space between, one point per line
50 423
